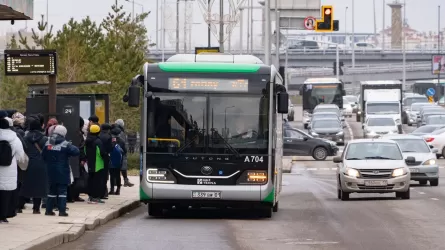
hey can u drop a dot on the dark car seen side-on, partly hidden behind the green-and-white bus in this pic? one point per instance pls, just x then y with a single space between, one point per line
299 143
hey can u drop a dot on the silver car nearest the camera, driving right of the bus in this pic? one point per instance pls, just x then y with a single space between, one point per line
373 166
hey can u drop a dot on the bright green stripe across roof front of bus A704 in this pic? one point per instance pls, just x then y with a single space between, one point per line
209 67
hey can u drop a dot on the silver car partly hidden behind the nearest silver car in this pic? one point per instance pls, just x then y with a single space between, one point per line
425 168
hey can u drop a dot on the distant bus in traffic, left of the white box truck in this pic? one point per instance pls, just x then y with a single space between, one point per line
316 91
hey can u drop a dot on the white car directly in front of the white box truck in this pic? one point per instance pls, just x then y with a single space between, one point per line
379 125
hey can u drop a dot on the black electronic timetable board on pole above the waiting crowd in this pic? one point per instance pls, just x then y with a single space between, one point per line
30 62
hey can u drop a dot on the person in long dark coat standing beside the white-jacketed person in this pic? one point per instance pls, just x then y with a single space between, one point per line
35 183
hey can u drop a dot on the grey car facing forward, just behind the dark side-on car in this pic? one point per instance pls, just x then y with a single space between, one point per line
328 128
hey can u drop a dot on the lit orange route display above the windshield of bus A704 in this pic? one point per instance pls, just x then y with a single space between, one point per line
208 84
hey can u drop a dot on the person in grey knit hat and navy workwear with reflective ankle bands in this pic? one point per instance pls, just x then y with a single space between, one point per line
56 154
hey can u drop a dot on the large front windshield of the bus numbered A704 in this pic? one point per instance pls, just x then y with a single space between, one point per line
207 123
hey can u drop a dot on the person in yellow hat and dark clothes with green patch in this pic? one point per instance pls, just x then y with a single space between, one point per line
95 155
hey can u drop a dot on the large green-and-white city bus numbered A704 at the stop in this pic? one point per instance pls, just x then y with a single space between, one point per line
212 125
